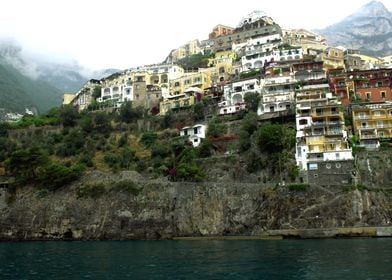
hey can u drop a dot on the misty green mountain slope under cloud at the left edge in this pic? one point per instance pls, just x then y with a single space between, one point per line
31 81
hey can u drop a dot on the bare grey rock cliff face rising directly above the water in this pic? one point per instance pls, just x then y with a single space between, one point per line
163 210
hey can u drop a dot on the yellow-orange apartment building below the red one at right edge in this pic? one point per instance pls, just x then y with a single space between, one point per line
372 122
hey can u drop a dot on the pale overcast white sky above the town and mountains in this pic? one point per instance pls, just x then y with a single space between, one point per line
122 34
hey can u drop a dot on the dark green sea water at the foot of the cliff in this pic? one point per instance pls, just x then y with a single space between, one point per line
253 259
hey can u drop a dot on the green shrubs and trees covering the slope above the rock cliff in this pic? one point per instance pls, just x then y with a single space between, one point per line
55 149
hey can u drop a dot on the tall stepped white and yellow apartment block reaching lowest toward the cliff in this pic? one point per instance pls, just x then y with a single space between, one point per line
321 135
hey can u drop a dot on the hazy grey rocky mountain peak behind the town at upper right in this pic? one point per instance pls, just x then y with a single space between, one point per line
369 29
